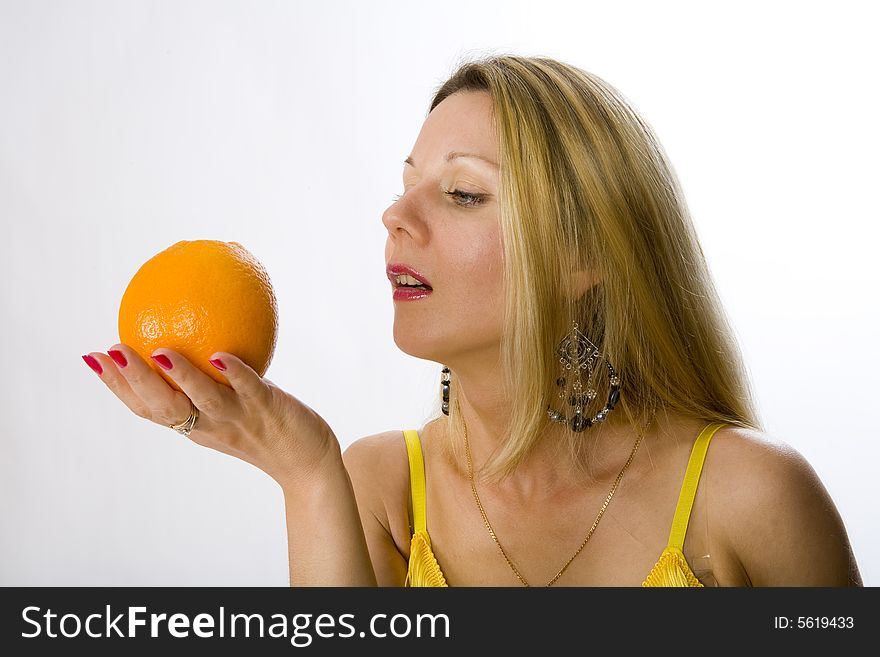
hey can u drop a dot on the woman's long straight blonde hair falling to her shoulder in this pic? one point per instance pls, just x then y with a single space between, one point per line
586 185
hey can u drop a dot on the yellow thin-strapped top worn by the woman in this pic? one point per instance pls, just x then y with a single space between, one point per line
671 569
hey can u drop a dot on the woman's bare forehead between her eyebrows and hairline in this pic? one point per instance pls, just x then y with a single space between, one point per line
462 123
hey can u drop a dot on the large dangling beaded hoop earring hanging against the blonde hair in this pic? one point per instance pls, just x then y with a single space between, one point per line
577 353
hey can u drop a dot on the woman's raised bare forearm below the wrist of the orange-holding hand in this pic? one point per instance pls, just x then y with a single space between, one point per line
325 538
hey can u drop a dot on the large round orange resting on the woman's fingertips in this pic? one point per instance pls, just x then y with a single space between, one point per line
198 298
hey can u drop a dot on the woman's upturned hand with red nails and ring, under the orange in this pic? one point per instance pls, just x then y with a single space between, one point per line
253 420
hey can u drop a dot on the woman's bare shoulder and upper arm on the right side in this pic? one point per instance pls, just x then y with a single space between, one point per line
773 512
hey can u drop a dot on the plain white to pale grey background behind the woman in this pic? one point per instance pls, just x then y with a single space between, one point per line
128 126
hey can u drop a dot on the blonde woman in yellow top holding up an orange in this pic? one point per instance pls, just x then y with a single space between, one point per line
543 253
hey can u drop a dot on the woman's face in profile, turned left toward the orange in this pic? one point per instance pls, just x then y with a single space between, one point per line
445 226
